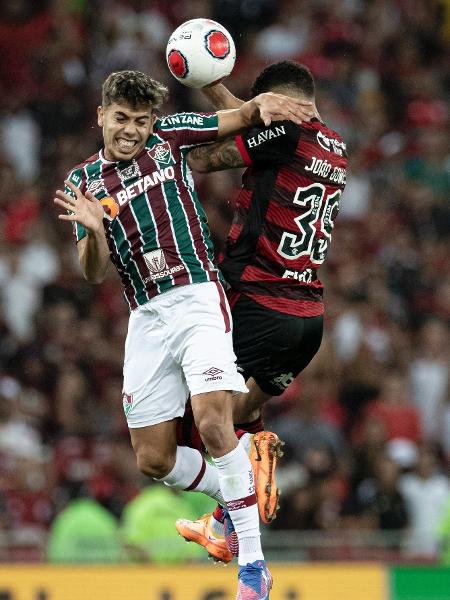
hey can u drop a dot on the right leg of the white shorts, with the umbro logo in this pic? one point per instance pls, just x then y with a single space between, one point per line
201 340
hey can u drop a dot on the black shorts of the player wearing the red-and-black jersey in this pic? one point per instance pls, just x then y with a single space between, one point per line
273 347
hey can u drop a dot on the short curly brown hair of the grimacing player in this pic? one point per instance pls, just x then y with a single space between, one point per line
133 88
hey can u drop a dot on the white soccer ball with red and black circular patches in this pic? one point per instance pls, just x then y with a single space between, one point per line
200 52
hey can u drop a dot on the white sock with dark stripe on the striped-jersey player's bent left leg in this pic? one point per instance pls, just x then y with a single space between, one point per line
191 472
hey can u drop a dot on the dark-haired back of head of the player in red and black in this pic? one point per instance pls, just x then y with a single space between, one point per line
286 77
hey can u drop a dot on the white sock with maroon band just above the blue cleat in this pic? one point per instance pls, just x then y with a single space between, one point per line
238 490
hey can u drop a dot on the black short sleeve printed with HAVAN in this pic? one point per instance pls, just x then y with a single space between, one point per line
274 144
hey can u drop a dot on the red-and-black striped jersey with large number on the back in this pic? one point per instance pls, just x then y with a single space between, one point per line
285 215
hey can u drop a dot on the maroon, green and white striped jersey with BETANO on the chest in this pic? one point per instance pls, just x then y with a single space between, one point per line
156 229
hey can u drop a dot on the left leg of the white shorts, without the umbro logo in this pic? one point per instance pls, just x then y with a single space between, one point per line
154 388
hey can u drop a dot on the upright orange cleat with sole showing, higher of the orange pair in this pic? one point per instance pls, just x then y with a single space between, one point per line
265 450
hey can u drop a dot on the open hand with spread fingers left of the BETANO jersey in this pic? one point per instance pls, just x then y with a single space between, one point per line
85 209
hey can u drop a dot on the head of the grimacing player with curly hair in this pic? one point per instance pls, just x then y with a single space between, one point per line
126 114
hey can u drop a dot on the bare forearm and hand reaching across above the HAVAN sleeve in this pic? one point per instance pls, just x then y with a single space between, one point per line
264 108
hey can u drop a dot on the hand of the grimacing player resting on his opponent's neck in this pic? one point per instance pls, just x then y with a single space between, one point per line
275 107
